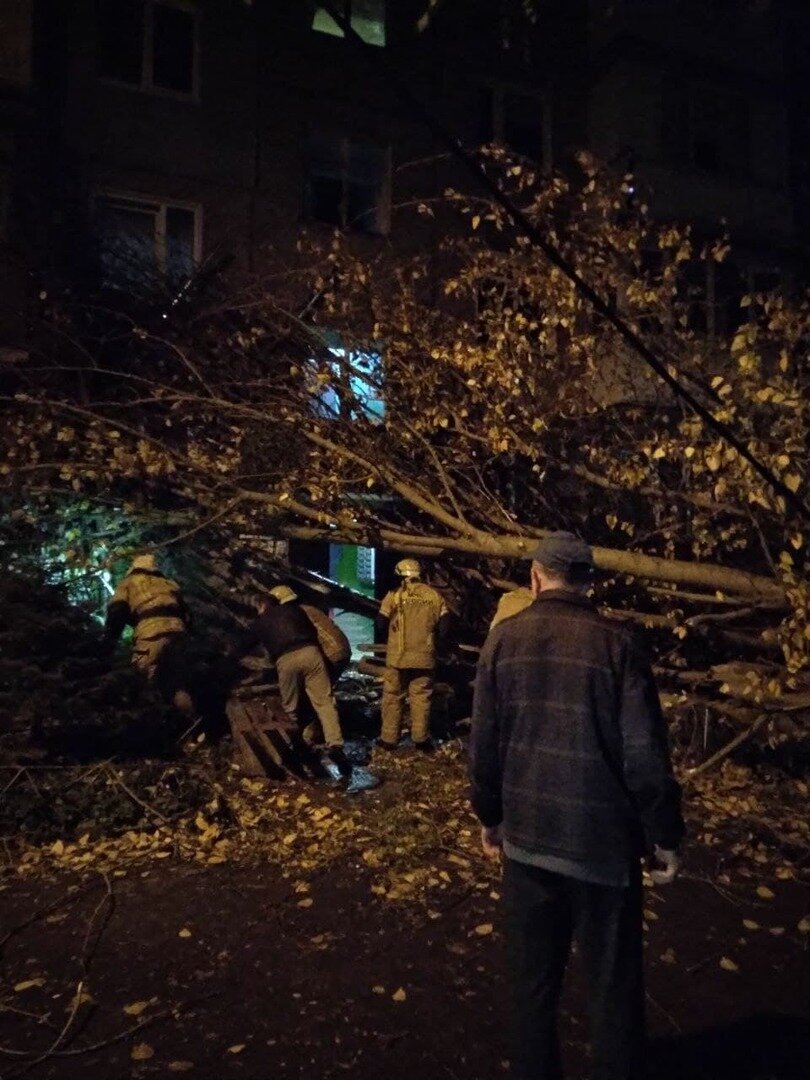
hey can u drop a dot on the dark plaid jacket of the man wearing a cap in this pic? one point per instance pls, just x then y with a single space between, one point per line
569 745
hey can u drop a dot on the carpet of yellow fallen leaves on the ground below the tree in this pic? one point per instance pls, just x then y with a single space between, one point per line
415 836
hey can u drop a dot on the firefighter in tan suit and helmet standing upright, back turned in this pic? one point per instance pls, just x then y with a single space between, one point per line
416 618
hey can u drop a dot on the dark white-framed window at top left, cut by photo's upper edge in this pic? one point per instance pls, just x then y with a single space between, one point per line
152 45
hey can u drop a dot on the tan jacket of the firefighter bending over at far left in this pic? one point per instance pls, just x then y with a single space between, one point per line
150 603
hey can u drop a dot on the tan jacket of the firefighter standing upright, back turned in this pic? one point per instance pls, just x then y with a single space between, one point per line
414 612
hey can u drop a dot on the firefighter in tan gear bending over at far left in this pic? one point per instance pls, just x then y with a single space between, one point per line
153 604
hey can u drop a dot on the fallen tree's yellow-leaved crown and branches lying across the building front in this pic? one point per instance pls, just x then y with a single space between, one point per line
509 408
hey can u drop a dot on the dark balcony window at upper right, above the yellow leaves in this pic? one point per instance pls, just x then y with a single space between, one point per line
707 128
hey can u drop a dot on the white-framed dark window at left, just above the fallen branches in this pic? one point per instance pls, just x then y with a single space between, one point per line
146 246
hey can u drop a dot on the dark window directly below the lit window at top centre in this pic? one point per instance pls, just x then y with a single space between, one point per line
348 184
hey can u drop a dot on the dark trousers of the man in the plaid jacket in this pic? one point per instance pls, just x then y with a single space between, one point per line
545 913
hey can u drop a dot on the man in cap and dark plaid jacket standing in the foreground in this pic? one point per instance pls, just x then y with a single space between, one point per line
573 784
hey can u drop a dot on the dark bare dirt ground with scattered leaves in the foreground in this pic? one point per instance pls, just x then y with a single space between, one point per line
235 970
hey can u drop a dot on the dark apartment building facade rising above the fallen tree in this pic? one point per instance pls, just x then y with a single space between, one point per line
143 139
